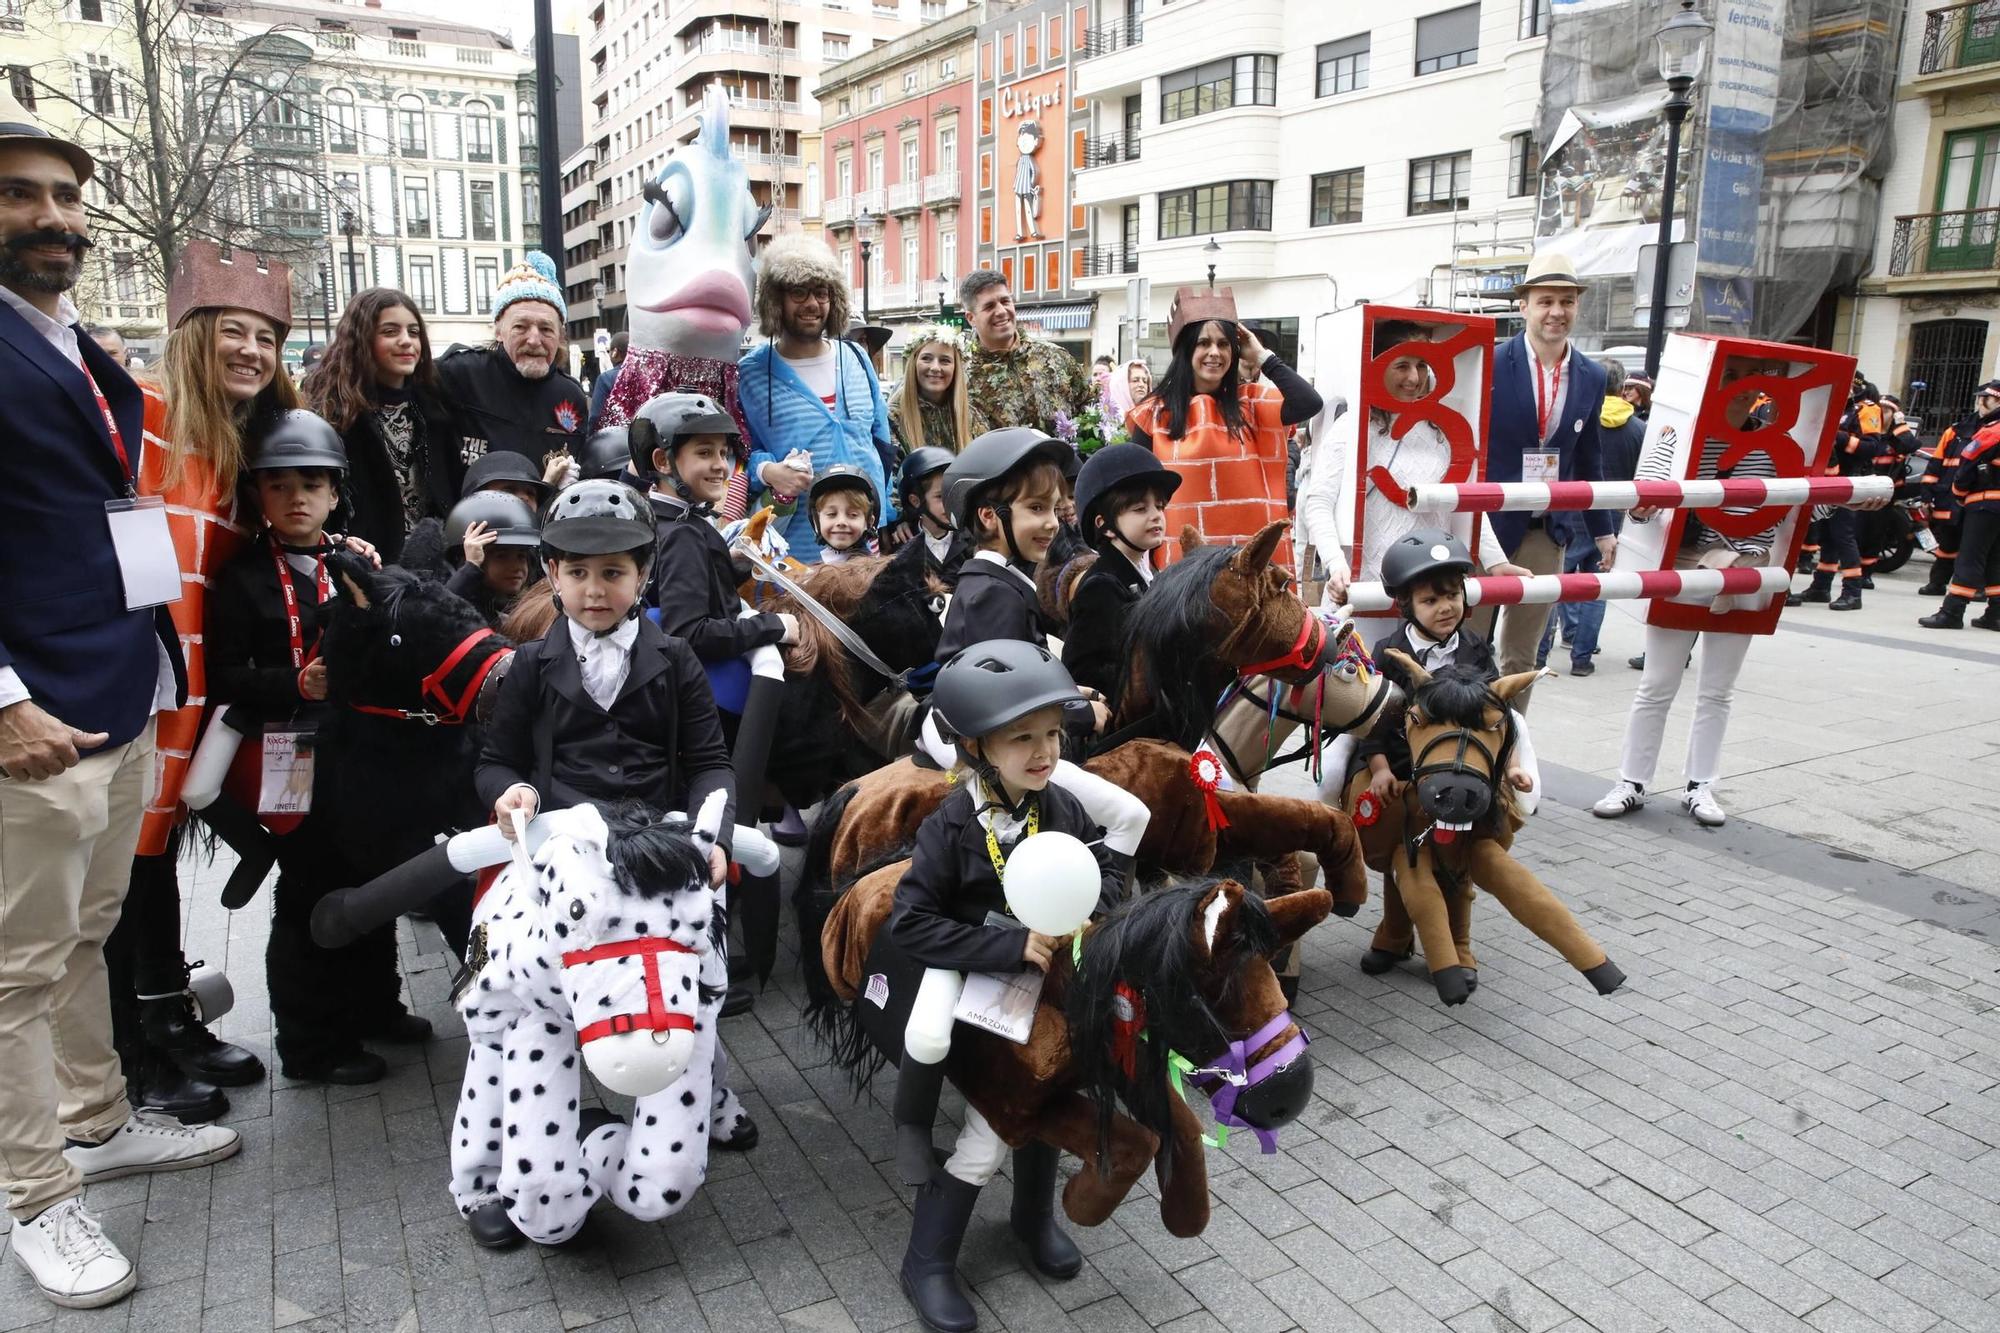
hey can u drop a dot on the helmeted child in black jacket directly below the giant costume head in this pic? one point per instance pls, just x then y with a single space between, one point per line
687 447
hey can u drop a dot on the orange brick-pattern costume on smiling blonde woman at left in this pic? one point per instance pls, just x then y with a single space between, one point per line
207 535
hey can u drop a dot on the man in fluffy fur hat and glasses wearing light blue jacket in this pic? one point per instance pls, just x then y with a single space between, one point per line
809 395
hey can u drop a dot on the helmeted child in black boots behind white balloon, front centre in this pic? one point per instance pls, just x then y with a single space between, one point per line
1005 706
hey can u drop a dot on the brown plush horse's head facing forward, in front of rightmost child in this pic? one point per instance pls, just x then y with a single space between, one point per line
1461 738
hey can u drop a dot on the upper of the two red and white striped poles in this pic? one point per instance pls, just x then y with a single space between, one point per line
1733 493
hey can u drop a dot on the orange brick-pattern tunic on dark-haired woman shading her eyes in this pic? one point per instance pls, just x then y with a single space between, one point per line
1231 485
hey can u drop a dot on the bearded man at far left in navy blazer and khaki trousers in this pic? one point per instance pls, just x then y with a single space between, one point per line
87 657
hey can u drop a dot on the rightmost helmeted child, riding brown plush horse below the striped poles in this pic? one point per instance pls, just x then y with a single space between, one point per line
1427 573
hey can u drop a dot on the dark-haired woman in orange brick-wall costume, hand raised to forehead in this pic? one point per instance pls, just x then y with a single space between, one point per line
1223 435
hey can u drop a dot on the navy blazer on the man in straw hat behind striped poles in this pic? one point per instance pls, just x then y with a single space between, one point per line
1513 431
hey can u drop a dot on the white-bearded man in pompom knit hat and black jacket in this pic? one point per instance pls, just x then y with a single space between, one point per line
517 393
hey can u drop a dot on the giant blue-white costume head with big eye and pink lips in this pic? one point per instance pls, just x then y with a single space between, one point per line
689 275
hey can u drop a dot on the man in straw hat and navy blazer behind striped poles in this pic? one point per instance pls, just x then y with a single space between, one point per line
1545 427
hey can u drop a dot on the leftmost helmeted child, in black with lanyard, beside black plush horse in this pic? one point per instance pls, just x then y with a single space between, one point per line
267 615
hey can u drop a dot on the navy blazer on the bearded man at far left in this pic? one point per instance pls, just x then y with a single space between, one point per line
63 619
